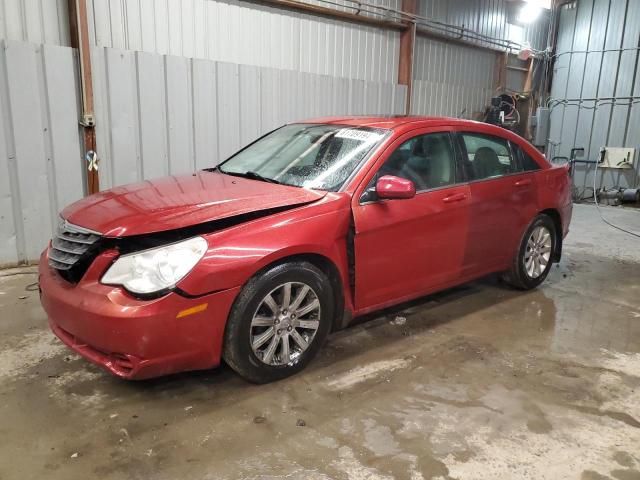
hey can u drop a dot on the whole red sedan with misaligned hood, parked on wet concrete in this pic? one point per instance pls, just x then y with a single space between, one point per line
255 261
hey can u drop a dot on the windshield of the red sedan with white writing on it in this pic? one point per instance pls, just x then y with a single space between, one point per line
305 155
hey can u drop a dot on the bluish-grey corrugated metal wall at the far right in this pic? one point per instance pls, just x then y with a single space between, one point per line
595 93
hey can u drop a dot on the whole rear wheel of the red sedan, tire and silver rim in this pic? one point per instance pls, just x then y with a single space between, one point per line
532 263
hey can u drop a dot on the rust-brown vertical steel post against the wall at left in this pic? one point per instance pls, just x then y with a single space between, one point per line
79 27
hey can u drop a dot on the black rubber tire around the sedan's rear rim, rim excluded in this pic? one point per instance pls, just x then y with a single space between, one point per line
517 276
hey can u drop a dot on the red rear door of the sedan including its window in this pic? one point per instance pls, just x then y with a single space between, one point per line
503 200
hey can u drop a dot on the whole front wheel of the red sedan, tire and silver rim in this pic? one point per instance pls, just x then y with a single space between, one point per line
279 322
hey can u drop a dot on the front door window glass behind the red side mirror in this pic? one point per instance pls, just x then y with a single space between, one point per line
427 160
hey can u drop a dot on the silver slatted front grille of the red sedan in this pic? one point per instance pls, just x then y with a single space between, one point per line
72 250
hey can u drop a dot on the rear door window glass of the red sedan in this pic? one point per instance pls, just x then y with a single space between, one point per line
487 156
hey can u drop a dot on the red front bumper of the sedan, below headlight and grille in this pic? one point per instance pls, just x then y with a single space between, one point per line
133 338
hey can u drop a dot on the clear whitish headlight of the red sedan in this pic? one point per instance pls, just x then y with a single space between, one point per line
156 269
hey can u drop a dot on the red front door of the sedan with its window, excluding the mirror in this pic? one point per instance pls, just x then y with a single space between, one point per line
410 247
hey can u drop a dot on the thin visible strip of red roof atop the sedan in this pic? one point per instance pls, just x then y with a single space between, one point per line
391 121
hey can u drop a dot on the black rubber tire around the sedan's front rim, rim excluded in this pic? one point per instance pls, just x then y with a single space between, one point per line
237 349
